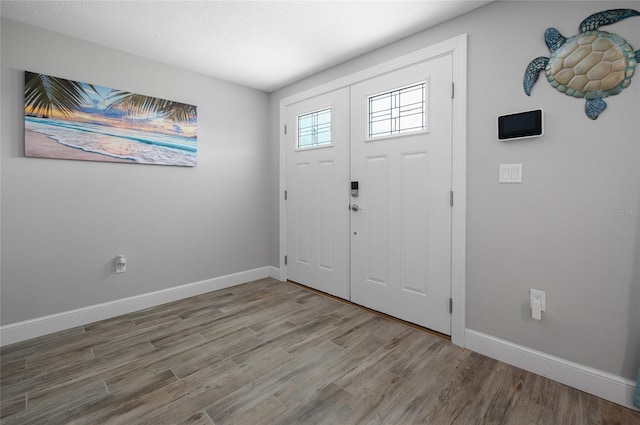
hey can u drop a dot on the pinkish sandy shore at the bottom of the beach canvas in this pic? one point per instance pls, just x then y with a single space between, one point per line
40 145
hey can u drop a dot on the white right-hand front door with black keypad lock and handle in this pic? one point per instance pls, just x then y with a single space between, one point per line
401 156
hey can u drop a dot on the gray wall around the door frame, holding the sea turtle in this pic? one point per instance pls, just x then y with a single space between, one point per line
572 228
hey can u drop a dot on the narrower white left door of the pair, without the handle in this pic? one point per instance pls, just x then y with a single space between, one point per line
318 192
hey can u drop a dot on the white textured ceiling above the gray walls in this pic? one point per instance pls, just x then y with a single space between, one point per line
260 44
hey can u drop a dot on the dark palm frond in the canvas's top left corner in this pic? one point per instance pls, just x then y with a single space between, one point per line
44 94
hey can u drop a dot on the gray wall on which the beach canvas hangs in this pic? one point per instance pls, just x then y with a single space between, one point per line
64 221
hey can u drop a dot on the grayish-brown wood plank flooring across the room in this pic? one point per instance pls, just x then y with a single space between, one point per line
268 352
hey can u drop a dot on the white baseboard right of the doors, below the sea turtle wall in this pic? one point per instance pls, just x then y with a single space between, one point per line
605 385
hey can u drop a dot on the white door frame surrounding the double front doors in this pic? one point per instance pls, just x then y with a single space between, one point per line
457 47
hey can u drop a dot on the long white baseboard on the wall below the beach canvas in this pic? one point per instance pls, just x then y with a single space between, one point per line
28 329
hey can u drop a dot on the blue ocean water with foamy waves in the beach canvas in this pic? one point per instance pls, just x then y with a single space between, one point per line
125 143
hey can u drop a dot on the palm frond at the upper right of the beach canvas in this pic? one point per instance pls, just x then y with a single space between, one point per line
133 104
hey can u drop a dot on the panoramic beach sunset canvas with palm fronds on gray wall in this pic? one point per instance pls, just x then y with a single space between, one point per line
68 119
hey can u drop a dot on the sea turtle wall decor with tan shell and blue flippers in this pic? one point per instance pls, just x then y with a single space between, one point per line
592 64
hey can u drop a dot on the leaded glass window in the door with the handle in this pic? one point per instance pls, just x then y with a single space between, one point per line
398 111
